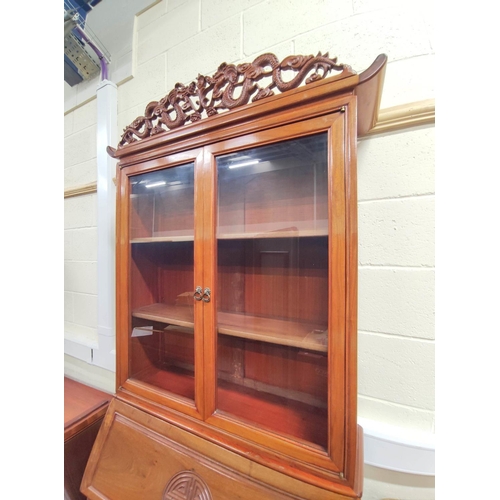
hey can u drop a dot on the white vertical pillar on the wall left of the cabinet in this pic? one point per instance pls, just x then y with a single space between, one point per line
105 355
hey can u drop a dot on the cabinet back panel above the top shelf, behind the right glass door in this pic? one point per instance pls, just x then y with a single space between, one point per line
279 187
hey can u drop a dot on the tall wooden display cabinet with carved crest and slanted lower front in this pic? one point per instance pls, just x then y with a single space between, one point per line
237 288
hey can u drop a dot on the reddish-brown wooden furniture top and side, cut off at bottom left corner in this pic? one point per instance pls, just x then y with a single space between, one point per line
84 410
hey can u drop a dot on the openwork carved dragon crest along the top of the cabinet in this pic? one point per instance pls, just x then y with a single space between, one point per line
230 87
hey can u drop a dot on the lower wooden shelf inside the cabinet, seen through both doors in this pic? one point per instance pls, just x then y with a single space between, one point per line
311 336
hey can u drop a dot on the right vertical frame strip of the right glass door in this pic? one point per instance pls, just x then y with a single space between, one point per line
337 309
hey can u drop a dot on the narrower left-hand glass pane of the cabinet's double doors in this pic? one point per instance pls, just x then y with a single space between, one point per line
162 279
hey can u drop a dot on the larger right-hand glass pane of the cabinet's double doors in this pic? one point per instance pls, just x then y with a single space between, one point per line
272 258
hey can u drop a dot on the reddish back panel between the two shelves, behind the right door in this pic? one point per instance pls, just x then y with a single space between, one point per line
279 277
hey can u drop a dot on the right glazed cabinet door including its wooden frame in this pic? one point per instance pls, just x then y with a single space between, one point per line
279 306
